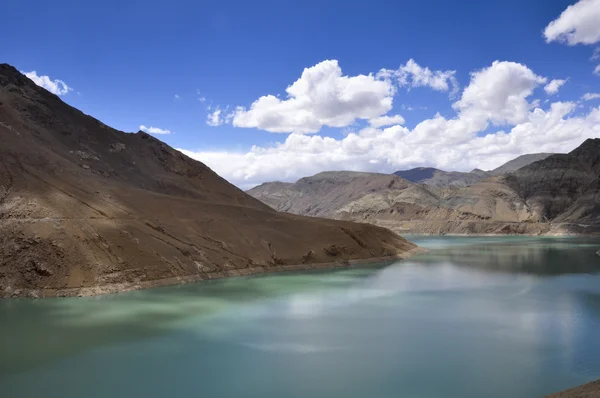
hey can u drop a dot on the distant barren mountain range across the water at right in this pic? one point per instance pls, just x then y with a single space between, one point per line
532 194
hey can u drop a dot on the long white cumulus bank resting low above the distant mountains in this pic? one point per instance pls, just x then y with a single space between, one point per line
498 94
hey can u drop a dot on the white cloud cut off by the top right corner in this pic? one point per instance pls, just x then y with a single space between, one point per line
578 24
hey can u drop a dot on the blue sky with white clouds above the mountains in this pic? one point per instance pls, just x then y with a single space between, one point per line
278 90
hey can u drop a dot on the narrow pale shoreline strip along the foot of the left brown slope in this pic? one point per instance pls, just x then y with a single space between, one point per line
180 280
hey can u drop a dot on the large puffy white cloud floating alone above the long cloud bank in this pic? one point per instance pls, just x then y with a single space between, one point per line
322 96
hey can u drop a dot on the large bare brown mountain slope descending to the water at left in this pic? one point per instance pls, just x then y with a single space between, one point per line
86 209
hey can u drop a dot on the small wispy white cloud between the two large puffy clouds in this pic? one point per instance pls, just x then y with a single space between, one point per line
413 75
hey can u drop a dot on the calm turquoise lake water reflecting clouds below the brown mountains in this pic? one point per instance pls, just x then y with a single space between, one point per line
474 317
